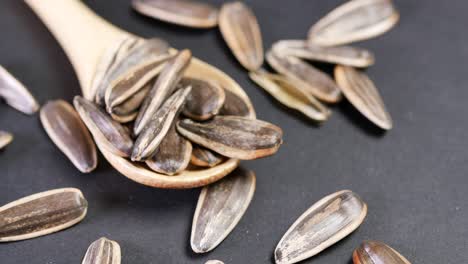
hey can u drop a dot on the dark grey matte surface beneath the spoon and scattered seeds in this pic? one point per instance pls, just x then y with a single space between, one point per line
414 178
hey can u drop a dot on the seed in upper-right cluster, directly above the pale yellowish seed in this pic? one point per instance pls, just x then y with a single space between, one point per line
312 80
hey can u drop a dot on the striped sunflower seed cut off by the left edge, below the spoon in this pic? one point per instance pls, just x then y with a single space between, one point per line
41 214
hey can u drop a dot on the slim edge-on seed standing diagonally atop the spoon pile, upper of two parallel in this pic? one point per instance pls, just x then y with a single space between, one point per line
164 86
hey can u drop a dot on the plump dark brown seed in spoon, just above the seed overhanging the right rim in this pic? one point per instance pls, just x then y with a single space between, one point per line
205 100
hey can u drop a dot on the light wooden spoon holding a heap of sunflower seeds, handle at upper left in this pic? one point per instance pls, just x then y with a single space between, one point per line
85 36
